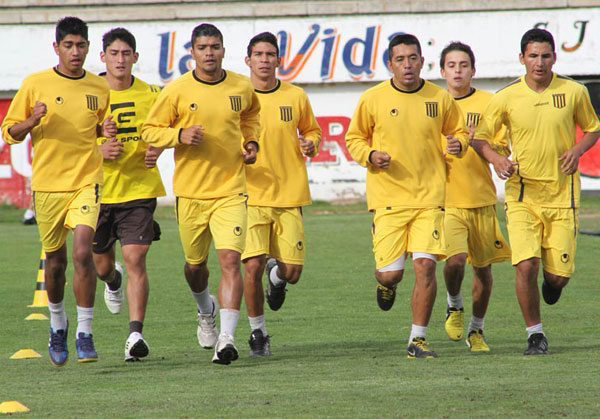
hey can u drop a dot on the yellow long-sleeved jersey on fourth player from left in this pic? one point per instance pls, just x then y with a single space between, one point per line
279 177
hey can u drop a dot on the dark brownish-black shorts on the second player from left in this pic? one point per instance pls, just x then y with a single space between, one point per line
129 222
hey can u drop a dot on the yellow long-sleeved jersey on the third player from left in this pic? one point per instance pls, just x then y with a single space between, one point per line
228 110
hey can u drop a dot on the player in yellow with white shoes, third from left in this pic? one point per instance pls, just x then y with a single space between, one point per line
211 117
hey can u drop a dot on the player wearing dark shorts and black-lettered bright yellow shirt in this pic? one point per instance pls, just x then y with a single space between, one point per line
131 185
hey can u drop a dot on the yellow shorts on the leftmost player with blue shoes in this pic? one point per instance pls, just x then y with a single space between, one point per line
59 212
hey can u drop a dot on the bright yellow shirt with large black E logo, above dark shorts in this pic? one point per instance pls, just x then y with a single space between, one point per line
127 178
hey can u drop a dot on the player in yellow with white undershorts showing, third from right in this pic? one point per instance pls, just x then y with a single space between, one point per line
396 133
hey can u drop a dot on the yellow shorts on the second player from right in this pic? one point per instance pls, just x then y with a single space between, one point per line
476 232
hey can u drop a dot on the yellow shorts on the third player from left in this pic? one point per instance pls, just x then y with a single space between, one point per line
201 220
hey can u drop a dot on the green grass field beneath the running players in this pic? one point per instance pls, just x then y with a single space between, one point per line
334 352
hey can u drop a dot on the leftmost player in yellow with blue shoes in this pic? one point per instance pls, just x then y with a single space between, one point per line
62 108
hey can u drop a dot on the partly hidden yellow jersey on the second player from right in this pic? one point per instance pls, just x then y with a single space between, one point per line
469 182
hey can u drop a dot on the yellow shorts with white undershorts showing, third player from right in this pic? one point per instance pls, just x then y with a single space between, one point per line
397 231
